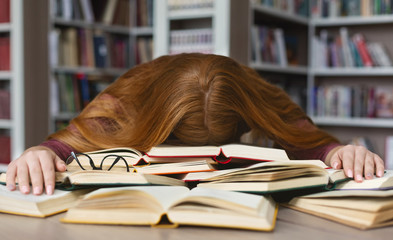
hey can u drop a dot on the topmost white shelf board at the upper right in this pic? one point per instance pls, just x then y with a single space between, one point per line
352 20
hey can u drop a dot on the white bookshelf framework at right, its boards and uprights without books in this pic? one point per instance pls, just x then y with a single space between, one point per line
376 128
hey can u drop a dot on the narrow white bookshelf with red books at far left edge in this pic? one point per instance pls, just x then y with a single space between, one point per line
12 82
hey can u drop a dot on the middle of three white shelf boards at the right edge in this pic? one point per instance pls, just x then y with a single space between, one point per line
372 71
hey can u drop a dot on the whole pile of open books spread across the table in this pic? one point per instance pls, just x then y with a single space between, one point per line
233 186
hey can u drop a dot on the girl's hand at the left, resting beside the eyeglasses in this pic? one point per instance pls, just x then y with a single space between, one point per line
36 165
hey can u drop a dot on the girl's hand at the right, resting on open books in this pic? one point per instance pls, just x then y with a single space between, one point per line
356 161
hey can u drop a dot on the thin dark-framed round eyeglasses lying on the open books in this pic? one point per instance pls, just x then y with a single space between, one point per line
115 158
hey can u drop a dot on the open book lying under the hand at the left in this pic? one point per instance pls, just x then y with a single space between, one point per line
14 202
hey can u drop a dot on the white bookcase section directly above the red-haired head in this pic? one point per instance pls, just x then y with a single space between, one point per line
225 21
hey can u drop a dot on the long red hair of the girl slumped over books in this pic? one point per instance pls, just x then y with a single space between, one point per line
193 99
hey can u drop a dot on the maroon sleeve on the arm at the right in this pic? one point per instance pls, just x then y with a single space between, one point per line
314 153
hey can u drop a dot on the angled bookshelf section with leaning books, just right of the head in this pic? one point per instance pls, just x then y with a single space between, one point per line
267 21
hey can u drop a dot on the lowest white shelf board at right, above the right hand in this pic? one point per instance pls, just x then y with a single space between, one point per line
353 122
